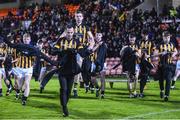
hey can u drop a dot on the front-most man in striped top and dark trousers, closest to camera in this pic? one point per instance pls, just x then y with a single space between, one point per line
66 49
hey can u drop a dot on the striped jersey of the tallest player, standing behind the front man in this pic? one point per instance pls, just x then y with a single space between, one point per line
81 33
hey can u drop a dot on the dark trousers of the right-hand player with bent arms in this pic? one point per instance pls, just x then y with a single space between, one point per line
166 75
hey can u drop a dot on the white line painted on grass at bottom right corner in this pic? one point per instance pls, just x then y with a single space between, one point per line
152 113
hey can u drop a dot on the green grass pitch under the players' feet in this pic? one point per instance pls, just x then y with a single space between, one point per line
116 105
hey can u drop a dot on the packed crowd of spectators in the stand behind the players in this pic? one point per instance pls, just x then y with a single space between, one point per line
112 17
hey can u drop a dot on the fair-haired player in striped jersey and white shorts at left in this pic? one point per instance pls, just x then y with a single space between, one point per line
25 69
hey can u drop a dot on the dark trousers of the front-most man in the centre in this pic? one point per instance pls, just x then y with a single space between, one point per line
66 83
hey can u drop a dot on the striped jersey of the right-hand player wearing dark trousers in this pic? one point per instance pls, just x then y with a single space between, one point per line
169 49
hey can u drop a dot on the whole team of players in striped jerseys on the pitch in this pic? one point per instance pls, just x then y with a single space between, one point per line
78 56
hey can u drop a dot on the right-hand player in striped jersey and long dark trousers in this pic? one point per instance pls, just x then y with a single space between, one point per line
166 68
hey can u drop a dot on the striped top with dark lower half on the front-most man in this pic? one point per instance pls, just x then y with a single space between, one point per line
68 62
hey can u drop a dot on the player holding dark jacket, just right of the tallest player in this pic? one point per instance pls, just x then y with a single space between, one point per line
97 62
